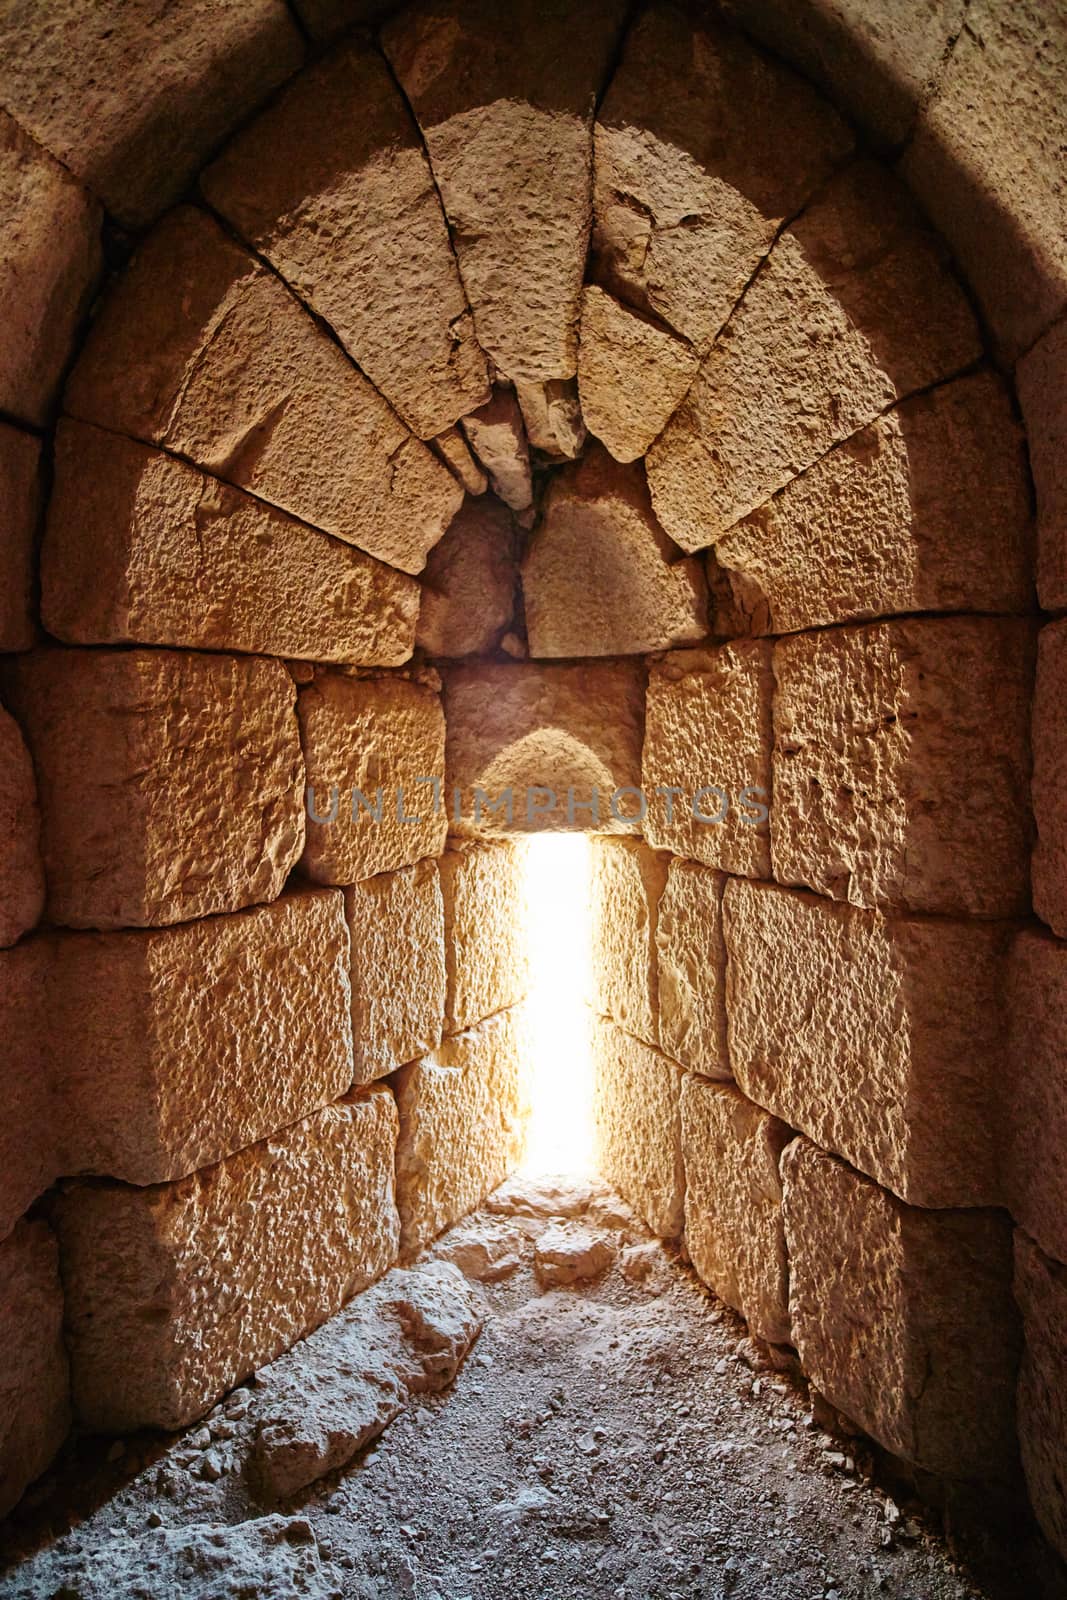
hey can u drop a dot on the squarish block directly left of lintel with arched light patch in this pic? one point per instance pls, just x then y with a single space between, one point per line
375 754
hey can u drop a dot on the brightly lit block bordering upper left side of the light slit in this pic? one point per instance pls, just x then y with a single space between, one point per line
486 946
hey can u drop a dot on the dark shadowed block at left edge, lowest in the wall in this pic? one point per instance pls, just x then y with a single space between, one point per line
36 1388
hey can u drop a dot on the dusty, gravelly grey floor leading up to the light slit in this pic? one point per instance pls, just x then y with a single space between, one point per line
620 1438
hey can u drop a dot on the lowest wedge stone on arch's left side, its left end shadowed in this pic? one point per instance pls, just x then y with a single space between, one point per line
142 548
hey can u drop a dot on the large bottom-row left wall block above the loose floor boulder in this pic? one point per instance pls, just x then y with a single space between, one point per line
178 1292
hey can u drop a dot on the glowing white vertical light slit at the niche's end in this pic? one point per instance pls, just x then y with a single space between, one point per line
559 948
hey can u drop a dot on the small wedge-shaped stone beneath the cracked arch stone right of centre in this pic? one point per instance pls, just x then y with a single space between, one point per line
631 375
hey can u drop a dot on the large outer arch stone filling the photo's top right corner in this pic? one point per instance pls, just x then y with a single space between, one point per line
988 164
